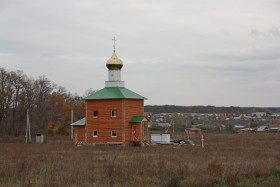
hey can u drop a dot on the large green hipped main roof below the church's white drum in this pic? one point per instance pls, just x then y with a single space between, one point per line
114 93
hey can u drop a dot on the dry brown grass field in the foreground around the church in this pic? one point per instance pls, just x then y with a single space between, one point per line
226 160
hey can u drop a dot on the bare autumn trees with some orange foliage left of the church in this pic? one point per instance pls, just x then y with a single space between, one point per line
49 105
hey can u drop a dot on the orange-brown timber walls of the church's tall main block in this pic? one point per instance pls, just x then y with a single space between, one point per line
104 123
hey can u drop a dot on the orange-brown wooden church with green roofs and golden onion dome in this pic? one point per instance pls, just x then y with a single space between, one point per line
114 114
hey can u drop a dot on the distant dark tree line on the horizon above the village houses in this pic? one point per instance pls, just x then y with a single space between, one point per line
208 109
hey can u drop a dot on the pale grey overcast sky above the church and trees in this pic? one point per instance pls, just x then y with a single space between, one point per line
181 52
